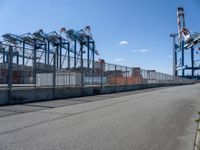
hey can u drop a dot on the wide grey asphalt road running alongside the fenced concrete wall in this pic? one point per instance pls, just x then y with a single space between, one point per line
154 119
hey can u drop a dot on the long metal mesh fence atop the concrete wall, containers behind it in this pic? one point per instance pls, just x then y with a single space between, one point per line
40 75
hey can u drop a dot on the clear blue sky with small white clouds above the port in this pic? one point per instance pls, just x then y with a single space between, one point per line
142 26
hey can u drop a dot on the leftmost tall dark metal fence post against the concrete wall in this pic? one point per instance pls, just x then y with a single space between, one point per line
10 66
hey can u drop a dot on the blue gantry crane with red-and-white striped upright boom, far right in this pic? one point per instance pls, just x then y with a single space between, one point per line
182 42
